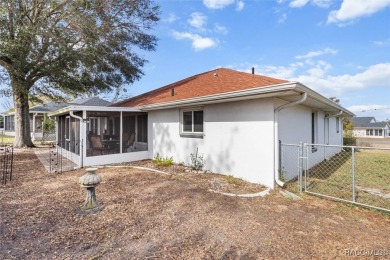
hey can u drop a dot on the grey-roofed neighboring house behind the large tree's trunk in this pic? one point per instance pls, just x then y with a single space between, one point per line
36 114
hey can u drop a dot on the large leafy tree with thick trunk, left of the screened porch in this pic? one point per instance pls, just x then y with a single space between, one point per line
66 47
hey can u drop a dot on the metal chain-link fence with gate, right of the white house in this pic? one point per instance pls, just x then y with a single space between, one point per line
359 175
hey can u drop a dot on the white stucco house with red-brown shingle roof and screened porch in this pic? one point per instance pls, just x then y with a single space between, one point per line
234 119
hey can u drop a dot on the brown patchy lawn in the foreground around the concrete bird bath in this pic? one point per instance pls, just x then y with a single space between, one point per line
150 215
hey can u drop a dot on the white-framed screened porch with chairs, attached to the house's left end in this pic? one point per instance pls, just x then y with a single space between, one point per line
102 135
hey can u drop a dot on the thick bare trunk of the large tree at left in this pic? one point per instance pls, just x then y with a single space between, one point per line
22 119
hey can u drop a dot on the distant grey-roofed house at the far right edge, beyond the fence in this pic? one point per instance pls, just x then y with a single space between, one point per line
369 127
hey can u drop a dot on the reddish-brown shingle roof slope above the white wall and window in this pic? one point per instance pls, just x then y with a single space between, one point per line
209 83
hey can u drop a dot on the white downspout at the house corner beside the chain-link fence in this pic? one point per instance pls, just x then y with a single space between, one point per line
276 134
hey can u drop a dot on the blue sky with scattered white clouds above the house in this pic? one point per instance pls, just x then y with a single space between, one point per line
337 47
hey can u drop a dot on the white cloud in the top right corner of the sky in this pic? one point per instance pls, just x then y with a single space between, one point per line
353 9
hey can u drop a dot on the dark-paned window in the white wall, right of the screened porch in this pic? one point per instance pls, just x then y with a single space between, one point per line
192 122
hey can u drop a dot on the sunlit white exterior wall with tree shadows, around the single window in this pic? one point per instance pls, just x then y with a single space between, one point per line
238 139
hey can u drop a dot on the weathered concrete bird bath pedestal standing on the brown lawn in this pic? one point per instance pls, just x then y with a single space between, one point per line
89 181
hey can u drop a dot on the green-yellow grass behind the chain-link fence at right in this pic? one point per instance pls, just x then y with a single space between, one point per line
334 177
